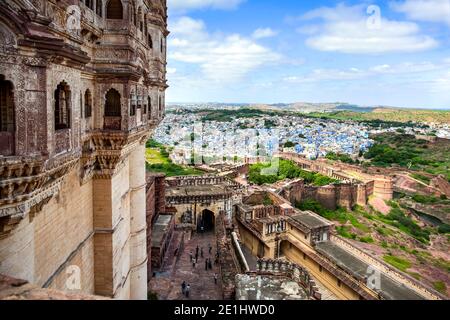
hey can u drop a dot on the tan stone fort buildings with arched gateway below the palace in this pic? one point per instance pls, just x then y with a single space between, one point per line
270 250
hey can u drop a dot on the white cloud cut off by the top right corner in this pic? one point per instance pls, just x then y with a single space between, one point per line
424 10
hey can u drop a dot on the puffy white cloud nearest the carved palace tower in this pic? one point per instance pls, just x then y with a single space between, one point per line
223 58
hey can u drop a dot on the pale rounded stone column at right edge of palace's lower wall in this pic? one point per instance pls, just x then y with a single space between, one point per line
138 225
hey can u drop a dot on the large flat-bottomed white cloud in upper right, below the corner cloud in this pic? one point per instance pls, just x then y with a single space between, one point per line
345 29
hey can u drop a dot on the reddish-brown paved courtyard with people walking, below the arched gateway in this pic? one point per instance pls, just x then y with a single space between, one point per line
167 285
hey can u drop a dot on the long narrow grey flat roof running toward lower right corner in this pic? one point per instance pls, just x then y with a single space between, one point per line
390 288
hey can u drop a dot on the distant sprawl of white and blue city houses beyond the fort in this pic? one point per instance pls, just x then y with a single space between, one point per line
258 136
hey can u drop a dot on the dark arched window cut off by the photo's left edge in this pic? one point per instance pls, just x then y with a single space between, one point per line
7 117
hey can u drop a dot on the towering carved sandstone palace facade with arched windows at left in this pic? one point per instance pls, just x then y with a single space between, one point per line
81 88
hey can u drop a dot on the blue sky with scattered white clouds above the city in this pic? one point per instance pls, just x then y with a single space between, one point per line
392 53
